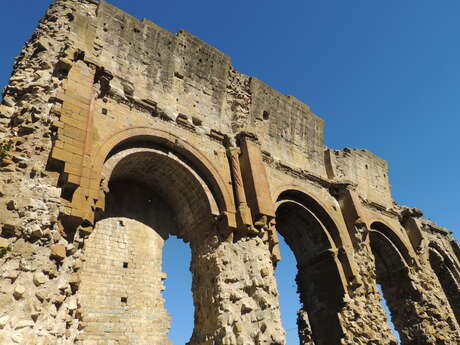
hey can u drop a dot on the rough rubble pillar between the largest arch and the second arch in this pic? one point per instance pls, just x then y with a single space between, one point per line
235 293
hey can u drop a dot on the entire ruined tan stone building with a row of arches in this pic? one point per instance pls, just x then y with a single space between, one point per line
116 134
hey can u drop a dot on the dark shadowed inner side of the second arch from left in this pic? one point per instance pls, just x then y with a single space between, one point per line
320 278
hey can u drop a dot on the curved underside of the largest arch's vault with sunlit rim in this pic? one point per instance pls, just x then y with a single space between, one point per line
190 198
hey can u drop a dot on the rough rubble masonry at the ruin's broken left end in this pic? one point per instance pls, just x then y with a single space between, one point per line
39 262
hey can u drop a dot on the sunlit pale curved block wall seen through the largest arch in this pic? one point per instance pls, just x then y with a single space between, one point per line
121 284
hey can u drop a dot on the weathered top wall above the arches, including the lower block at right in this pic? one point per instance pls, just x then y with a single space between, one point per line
191 81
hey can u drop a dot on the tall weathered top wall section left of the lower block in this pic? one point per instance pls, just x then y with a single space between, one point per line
188 78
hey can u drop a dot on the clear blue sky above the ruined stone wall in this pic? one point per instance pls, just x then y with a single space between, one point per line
383 75
